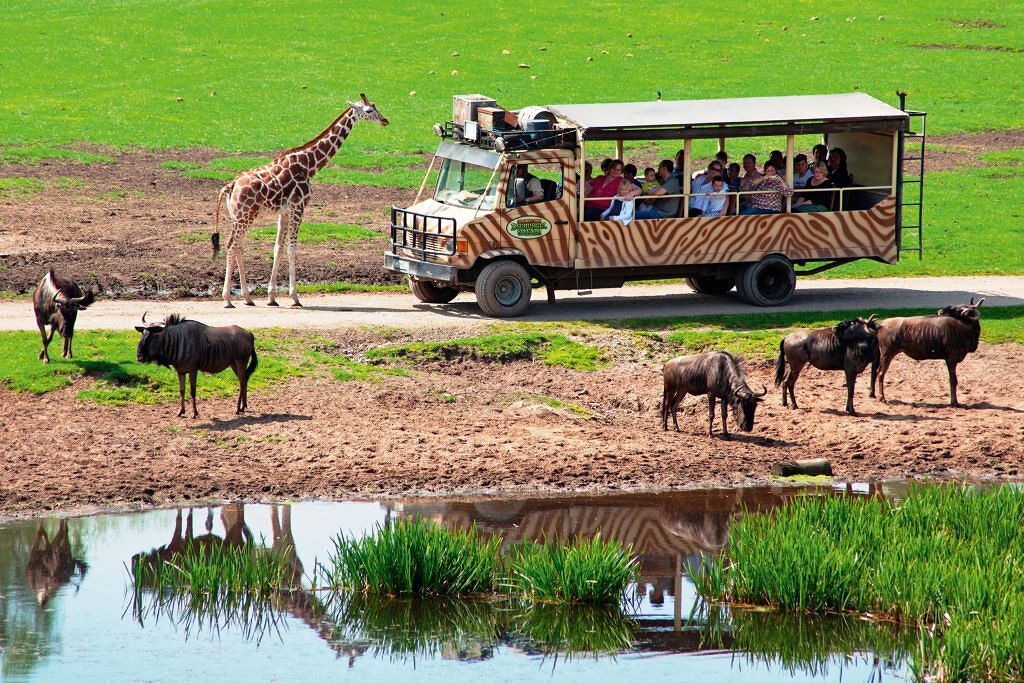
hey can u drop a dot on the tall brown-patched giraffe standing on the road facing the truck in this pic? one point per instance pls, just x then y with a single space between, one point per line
282 188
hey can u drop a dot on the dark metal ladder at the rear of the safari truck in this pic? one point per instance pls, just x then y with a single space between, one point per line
911 190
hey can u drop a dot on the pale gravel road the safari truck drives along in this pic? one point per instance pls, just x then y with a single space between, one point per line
340 311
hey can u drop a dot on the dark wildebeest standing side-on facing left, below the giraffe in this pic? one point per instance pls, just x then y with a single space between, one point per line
190 347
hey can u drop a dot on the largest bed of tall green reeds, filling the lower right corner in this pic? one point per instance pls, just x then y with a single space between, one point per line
949 560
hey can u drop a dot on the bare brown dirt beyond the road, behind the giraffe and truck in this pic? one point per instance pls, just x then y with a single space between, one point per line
136 230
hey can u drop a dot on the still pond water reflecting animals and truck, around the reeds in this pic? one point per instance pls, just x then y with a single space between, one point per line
68 611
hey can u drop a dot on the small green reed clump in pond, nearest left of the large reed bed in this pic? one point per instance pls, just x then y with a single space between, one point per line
594 571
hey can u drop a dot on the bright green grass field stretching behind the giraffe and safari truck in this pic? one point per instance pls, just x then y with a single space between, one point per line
164 74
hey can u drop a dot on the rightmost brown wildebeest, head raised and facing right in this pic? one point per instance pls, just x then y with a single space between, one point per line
950 336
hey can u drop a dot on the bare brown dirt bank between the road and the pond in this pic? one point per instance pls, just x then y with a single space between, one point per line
467 428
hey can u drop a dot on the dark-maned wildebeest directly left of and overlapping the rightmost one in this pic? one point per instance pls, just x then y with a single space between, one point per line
849 347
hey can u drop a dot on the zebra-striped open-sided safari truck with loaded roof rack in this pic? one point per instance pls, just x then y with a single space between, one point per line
480 232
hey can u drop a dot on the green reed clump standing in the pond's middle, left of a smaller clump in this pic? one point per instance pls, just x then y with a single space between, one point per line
414 558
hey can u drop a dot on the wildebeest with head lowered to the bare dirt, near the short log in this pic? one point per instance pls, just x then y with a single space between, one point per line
717 374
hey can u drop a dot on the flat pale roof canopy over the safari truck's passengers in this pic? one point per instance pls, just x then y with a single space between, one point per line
739 117
